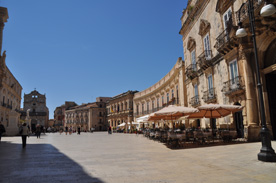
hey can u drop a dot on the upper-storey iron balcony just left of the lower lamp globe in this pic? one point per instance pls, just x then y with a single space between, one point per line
227 40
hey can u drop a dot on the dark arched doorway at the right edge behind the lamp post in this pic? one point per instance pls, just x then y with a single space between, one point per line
270 61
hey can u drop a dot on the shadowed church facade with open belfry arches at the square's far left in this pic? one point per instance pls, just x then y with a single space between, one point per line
38 111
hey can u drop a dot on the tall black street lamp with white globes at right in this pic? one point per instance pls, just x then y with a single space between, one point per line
266 153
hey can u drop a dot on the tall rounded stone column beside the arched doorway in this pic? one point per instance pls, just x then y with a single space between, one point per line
252 113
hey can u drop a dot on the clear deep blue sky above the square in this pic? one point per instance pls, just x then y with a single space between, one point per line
77 50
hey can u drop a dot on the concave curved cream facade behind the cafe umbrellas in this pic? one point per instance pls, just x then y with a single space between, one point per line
170 90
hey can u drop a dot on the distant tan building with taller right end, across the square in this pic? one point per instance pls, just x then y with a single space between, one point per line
88 116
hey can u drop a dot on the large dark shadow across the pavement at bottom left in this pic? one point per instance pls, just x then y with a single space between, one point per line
39 163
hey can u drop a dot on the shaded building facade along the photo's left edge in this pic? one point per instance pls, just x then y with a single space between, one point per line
10 88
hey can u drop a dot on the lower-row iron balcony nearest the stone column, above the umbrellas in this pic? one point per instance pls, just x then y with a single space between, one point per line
233 86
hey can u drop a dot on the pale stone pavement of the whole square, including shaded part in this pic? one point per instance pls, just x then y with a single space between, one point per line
99 157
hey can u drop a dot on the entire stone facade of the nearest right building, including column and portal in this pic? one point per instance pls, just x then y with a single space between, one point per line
230 48
